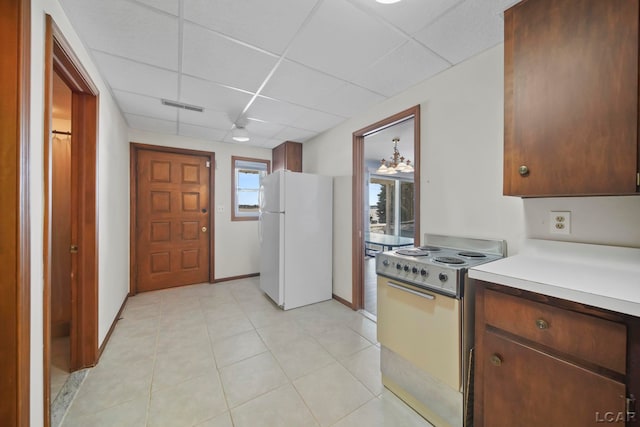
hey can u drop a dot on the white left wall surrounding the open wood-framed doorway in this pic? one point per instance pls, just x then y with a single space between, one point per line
113 195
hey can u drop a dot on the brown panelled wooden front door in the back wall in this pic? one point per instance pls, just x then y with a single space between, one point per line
172 232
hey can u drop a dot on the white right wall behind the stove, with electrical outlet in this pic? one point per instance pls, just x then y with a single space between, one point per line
461 169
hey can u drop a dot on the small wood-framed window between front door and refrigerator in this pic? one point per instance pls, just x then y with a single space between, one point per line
246 175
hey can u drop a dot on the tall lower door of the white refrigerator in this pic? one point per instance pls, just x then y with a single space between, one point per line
272 256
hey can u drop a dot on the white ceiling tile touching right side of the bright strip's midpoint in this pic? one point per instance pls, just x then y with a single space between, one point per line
300 85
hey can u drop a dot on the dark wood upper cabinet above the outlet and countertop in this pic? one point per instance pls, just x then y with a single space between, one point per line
571 98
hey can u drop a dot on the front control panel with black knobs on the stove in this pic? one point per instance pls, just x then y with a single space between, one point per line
419 273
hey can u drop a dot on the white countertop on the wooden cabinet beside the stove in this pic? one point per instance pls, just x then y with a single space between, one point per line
602 276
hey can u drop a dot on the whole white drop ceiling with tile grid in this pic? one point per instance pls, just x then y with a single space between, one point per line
290 68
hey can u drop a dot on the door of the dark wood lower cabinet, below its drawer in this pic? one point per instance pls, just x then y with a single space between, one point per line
523 386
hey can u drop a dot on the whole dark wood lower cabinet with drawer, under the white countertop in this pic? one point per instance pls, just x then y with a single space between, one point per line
531 367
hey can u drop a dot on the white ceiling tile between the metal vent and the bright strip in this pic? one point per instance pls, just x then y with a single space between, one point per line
197 91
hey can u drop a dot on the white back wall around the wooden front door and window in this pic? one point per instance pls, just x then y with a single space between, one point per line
237 250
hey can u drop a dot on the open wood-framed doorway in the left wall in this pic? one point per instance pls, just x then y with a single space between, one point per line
70 255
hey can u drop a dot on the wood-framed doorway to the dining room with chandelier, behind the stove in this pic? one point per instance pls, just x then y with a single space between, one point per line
386 206
